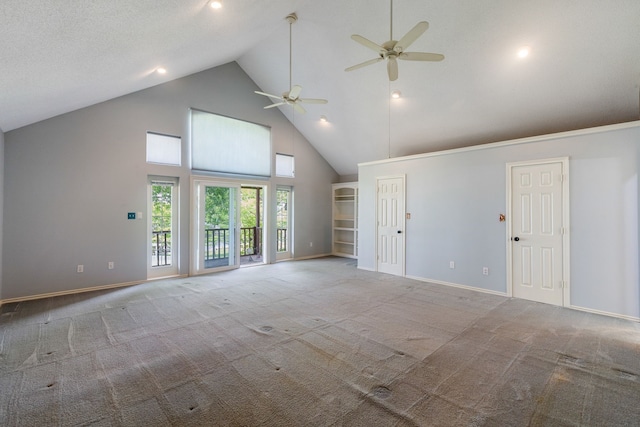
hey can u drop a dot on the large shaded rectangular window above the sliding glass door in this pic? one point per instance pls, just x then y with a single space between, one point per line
226 145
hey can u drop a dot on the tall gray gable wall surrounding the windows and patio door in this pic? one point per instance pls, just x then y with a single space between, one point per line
71 180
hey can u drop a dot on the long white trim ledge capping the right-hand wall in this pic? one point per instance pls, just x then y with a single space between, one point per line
559 135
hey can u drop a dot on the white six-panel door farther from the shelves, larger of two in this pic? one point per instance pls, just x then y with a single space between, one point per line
537 232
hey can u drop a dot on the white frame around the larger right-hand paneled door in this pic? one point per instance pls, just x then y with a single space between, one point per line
566 260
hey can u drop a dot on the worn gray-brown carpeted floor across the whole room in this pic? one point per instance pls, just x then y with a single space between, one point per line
312 343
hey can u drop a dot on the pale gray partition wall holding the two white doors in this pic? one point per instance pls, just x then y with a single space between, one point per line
455 198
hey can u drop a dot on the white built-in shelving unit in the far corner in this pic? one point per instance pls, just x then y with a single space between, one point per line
345 219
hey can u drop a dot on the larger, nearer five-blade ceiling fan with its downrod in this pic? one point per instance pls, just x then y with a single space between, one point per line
393 50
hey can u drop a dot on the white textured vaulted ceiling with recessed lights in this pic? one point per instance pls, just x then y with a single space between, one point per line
583 68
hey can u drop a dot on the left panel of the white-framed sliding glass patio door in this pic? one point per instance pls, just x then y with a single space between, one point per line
217 224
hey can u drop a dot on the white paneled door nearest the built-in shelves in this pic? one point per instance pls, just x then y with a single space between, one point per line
390 220
